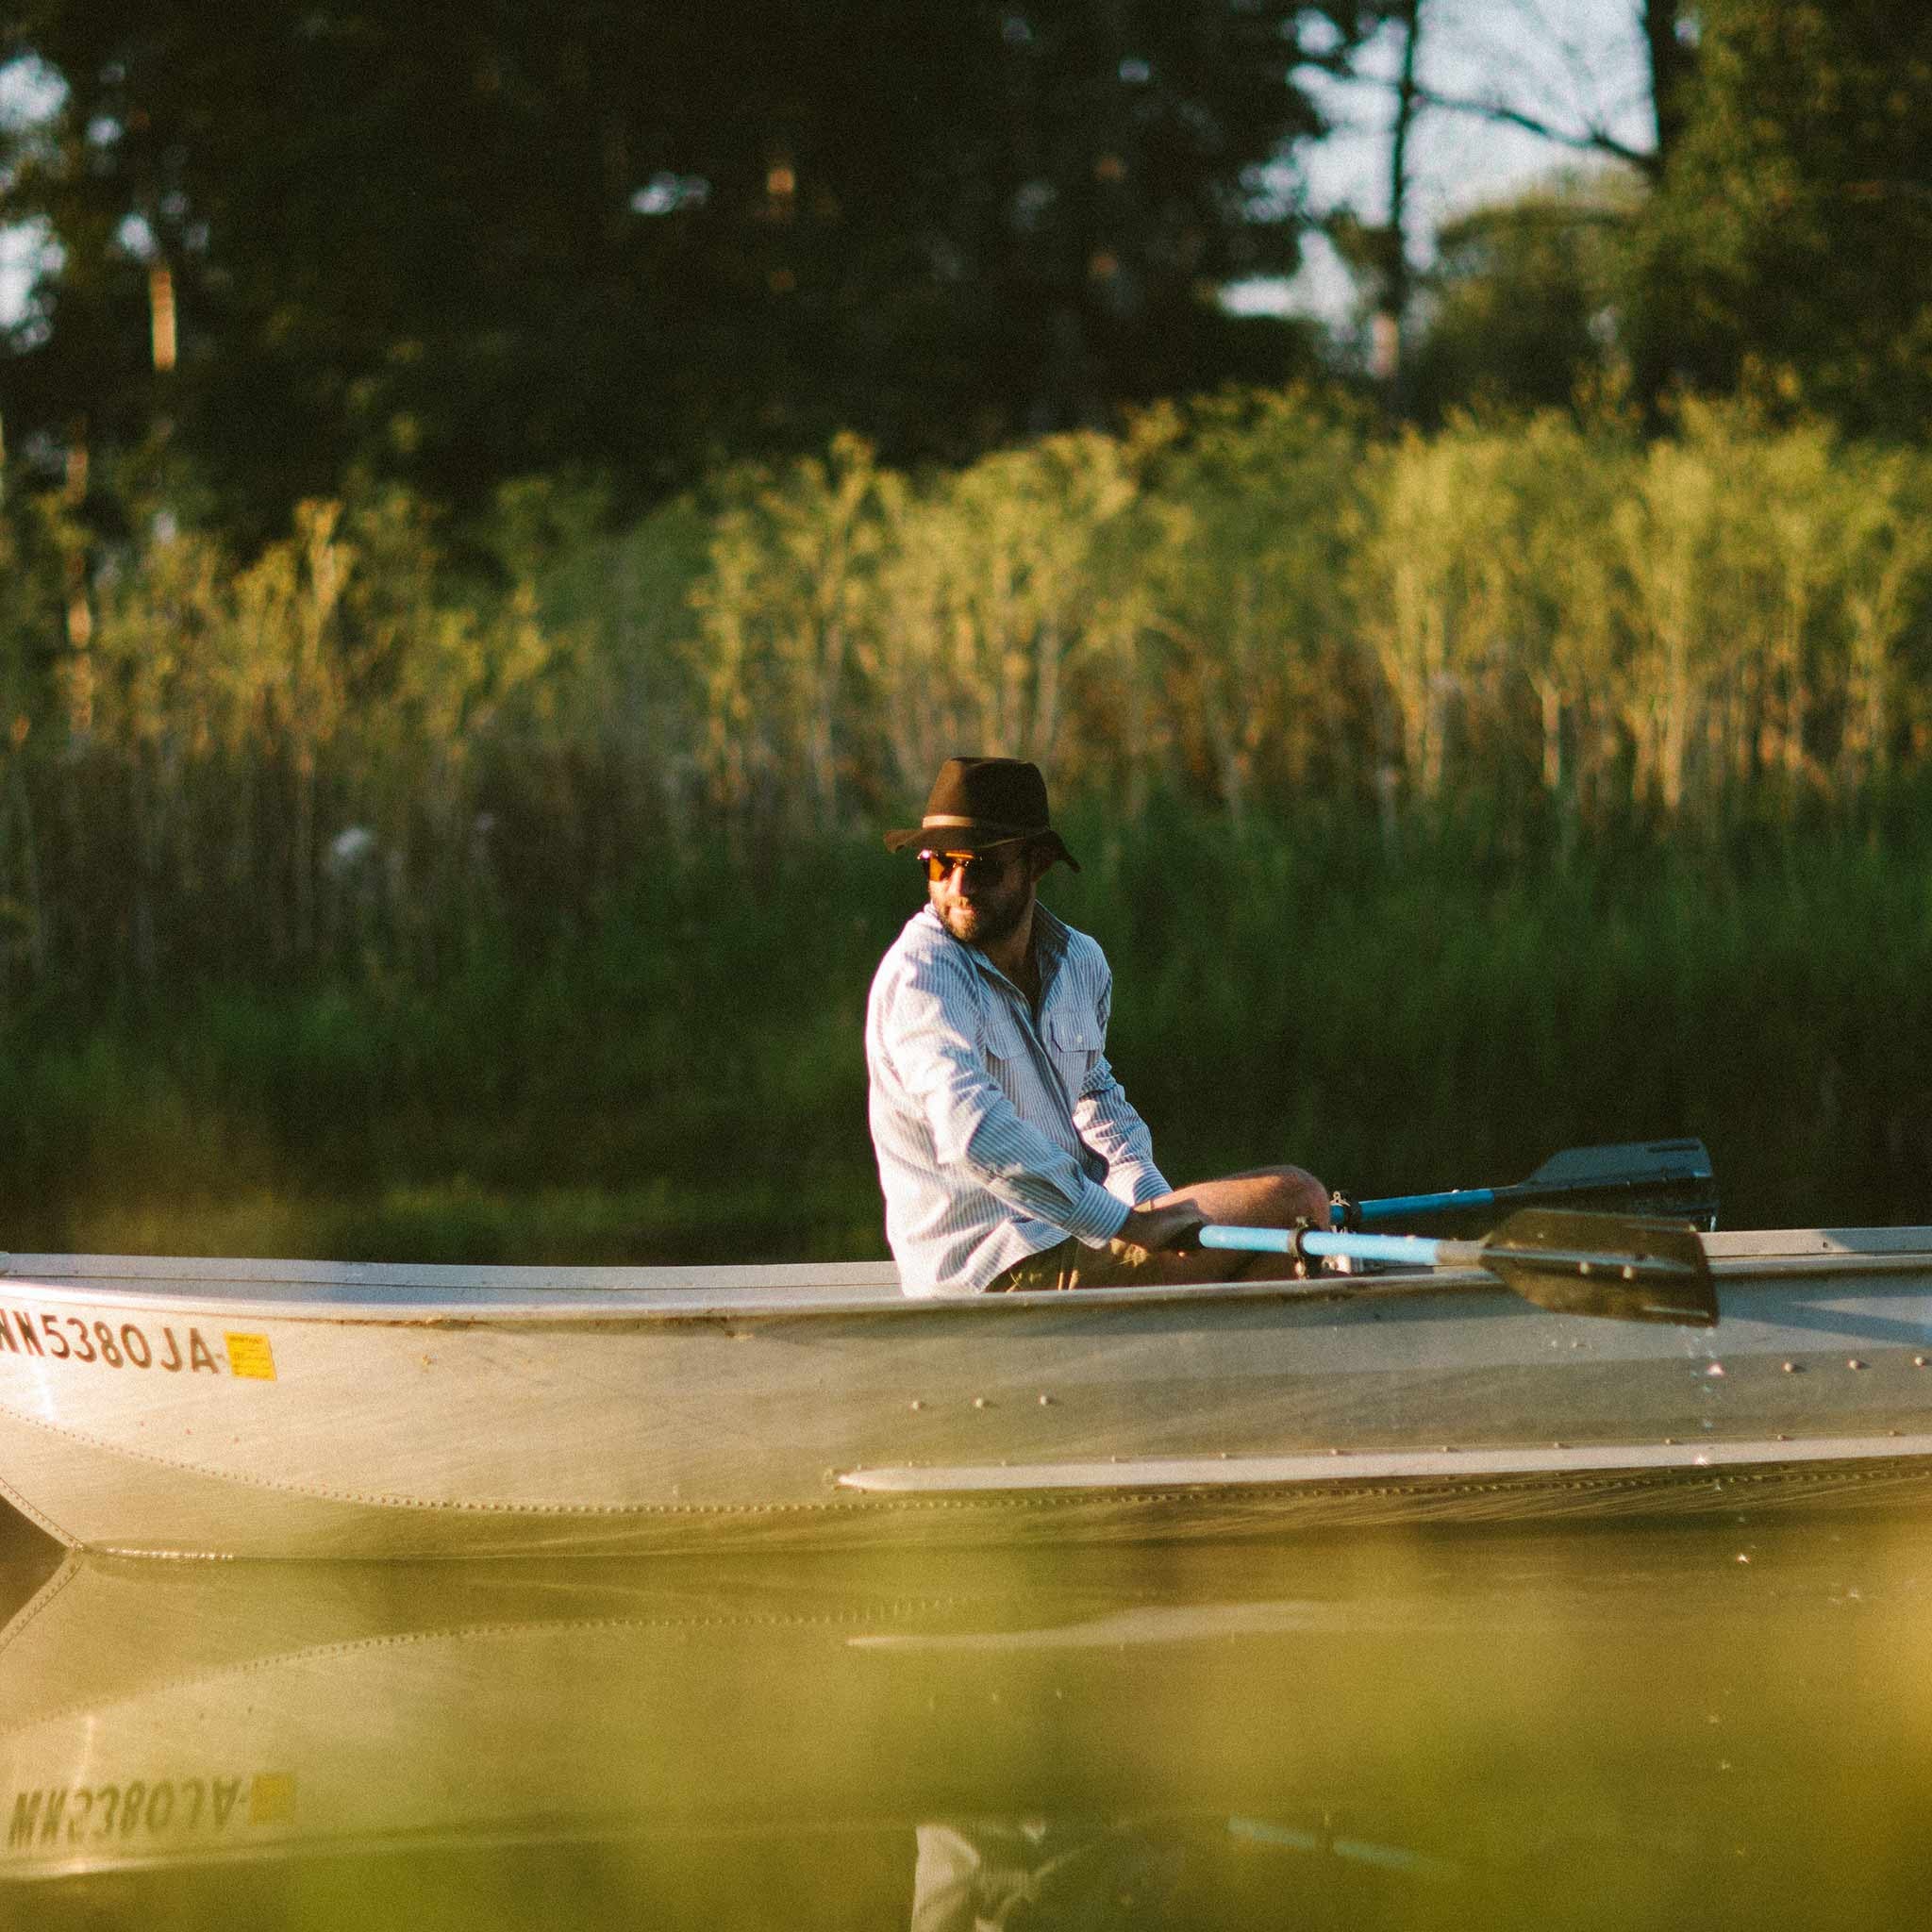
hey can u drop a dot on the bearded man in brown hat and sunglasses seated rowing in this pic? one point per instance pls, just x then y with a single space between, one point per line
1008 1152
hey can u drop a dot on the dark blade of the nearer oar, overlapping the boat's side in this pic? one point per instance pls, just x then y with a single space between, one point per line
1628 1268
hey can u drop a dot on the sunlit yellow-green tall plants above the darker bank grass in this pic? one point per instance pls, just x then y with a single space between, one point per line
358 754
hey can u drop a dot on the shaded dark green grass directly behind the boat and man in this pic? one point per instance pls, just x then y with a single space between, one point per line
685 1077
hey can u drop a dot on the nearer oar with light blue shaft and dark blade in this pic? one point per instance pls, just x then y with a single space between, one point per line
1577 1264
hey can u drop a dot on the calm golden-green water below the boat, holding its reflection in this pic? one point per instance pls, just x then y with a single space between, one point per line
1719 1722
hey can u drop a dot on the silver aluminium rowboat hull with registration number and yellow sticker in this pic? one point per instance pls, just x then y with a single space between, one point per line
217 1413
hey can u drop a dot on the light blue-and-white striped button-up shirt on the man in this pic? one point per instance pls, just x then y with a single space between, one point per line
1000 1131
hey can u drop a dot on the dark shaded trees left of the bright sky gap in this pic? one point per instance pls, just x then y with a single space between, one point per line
469 241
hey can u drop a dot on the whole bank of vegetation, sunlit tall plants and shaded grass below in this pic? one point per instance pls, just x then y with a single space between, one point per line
1444 799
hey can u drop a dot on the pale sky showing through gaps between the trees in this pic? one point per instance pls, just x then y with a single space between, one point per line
1570 63
